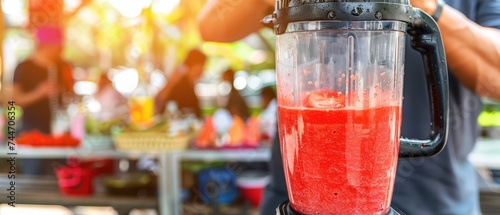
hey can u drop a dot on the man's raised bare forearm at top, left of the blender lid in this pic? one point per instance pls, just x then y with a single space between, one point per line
231 20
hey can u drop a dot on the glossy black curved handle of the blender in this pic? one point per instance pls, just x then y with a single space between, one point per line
426 39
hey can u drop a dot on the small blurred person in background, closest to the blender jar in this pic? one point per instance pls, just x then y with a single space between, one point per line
236 104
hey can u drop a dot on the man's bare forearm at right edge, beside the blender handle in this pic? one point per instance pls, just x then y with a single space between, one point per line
472 52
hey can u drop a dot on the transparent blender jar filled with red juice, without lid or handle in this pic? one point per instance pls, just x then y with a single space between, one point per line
339 94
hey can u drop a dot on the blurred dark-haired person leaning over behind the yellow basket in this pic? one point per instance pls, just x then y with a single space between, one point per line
181 84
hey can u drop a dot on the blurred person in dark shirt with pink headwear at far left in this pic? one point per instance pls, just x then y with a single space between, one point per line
39 81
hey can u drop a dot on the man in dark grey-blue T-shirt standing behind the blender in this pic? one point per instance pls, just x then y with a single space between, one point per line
443 184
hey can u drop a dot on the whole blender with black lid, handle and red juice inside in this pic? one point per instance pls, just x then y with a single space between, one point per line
340 66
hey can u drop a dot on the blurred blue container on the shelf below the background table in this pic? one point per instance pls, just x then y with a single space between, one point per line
218 185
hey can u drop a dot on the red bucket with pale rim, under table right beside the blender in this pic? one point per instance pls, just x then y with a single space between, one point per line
252 185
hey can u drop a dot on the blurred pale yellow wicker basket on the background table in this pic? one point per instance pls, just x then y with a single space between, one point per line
150 141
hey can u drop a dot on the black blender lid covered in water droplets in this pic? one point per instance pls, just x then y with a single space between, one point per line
288 11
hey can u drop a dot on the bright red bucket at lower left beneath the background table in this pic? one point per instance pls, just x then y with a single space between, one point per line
75 180
